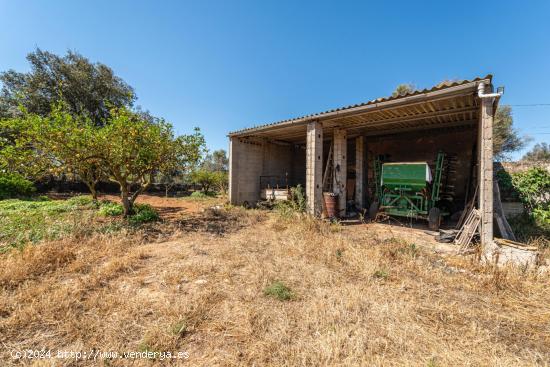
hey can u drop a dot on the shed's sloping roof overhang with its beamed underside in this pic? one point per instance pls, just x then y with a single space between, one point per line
447 105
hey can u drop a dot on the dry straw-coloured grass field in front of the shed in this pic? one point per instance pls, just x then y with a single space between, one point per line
244 287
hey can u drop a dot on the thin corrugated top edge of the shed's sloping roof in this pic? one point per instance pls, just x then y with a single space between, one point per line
440 86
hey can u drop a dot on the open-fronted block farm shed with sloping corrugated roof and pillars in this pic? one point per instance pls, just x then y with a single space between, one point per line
454 117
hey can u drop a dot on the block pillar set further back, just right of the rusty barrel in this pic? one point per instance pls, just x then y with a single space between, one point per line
340 168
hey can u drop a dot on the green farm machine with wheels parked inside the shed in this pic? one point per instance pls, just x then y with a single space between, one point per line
408 189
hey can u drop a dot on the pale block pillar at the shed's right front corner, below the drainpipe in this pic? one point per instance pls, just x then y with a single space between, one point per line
486 176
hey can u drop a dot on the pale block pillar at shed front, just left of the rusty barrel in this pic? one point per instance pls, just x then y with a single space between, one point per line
314 168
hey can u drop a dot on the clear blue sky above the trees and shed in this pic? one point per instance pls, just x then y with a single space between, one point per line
225 65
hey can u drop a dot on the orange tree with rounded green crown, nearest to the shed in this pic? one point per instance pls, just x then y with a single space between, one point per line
134 149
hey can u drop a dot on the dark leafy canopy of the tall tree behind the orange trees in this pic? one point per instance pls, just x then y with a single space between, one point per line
86 88
